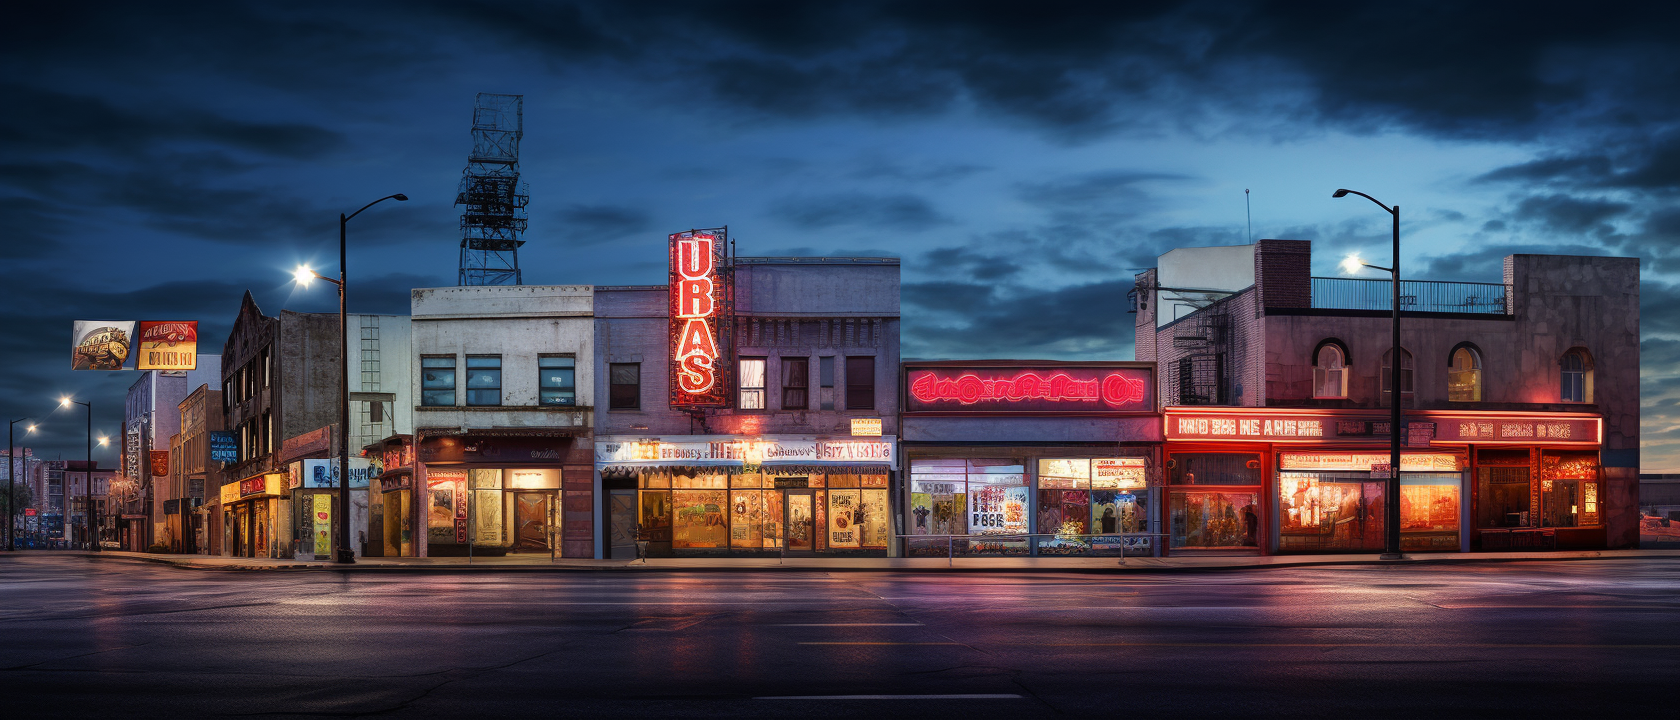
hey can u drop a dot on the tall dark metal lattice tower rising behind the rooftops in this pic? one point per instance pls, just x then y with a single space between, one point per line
491 199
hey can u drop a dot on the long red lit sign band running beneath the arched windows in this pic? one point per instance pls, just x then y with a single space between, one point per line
1422 429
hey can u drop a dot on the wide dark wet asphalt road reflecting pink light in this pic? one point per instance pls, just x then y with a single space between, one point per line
1526 640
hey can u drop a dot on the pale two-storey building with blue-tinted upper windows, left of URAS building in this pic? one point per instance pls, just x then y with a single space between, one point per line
528 425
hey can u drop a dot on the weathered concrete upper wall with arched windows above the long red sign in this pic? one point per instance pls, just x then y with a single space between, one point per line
1269 335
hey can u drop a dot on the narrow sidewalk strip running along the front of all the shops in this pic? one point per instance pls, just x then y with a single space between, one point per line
841 565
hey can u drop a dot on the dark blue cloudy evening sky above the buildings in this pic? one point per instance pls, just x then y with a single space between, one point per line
1022 159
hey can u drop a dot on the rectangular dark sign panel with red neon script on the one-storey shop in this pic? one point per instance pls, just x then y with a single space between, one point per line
1029 390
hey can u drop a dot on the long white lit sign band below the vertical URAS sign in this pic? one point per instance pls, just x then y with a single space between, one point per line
730 451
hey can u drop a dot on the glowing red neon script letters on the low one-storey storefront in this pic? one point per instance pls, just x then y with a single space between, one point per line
1027 387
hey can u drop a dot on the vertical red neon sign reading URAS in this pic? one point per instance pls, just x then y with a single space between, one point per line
701 306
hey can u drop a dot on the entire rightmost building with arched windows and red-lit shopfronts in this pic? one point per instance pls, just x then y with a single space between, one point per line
1520 397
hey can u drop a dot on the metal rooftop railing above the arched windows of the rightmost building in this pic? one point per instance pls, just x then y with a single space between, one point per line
1415 296
